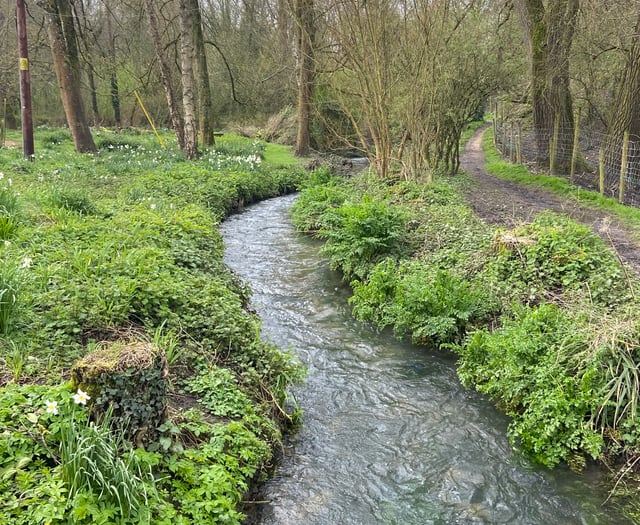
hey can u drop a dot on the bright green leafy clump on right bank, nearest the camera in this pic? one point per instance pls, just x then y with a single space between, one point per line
527 365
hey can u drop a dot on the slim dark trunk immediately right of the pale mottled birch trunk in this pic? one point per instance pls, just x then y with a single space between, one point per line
205 105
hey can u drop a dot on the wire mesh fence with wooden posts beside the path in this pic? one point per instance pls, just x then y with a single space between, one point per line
588 158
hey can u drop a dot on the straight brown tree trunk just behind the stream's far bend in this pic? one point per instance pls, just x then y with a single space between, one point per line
305 34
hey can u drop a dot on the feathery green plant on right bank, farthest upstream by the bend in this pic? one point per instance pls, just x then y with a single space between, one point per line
361 234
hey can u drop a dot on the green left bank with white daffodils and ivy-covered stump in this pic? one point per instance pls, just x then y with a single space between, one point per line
103 256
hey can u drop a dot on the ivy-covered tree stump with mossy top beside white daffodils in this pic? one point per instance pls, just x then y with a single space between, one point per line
130 379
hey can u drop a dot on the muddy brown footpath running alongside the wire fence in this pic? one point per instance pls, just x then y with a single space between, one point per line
509 204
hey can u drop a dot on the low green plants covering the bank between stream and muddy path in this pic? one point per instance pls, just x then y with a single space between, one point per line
543 317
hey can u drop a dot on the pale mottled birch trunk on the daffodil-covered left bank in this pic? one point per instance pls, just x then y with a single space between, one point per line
188 99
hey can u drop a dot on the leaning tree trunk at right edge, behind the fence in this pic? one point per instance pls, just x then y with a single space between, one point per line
625 116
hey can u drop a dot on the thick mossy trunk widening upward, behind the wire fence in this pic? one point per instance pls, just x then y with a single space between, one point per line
549 33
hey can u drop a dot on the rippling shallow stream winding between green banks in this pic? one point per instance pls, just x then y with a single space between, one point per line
389 434
